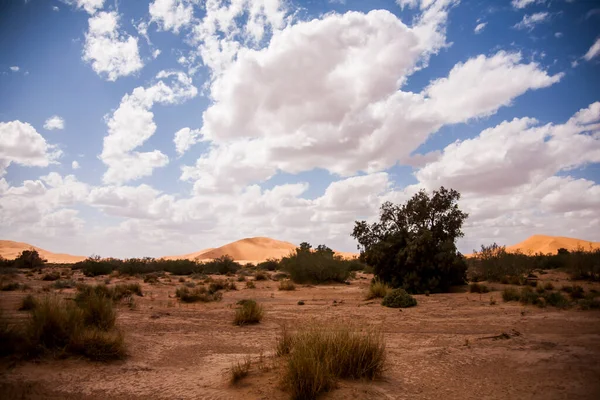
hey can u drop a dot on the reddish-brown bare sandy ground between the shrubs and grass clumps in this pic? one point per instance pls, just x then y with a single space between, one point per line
439 349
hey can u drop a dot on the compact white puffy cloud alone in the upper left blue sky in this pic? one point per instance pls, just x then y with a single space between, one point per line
111 52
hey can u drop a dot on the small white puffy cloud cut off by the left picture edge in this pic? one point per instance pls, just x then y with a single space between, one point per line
22 144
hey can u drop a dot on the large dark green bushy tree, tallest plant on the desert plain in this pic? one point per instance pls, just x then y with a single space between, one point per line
413 245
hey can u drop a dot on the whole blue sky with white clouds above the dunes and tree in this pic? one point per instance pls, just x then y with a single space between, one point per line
132 128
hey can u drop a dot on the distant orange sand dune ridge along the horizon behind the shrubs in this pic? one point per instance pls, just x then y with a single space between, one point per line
259 249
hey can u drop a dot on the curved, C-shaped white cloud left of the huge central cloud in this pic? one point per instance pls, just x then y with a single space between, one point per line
133 123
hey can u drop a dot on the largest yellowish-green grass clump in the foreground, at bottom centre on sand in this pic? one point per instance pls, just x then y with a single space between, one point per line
318 357
